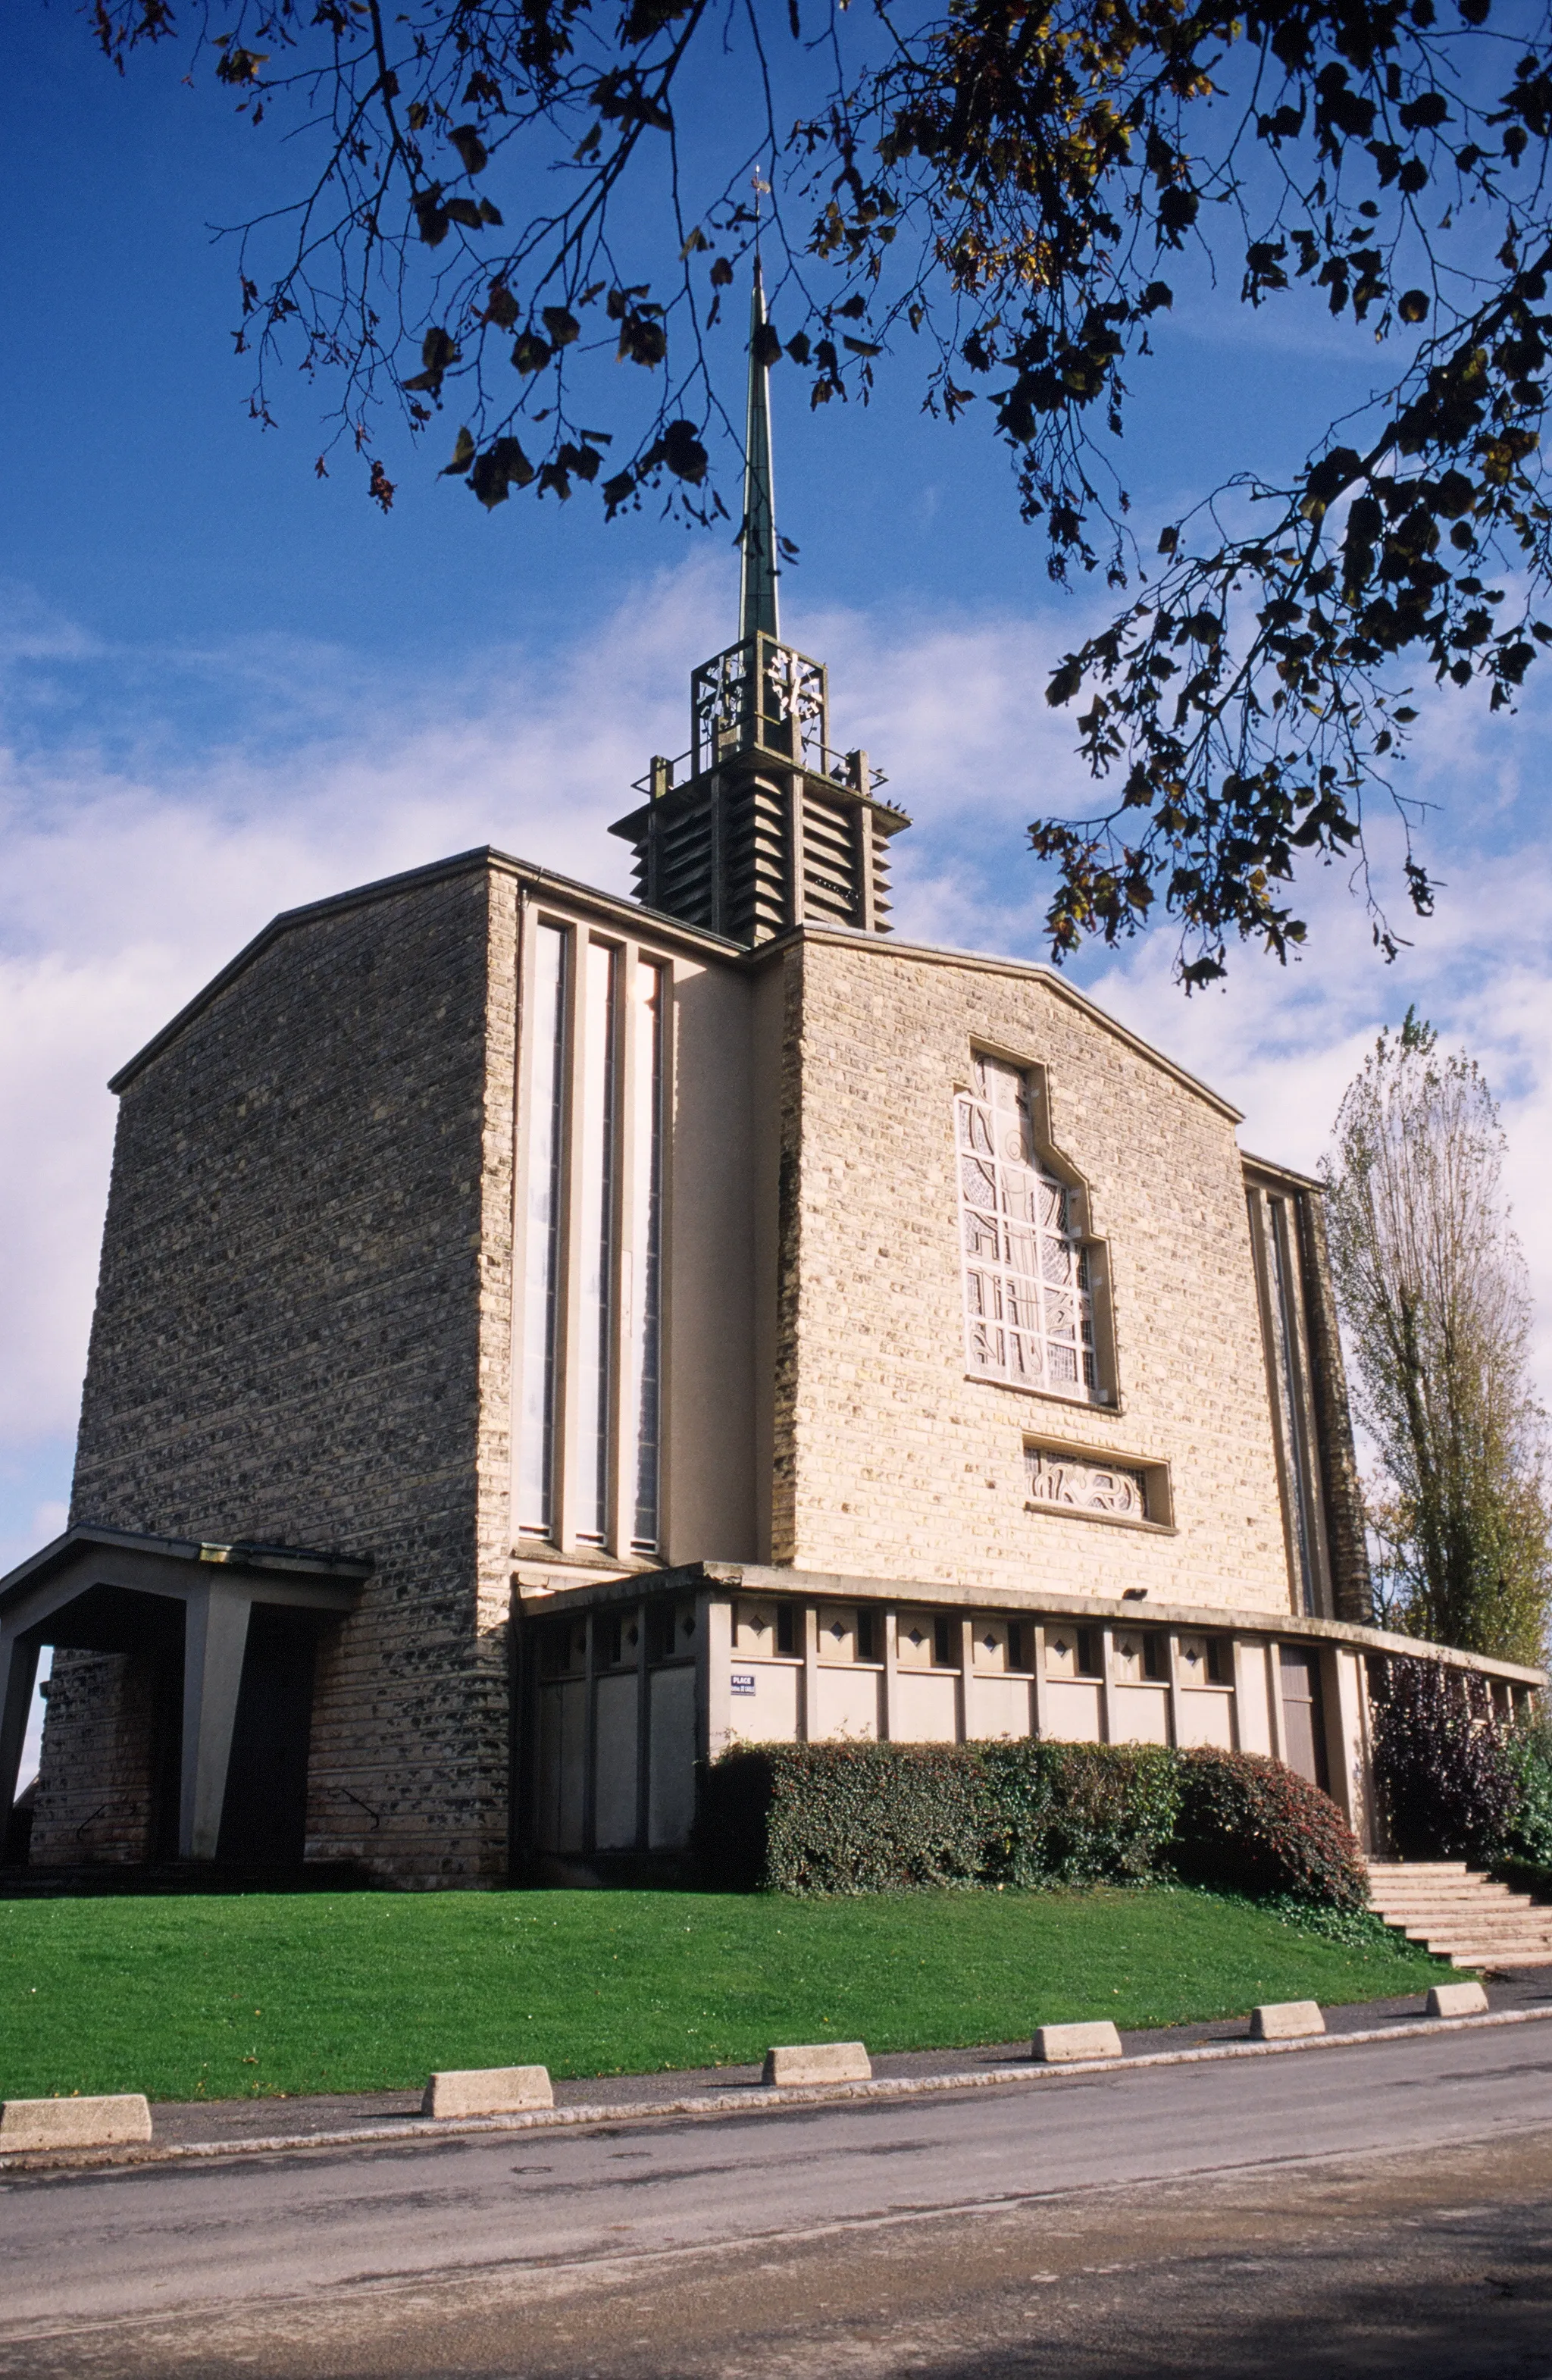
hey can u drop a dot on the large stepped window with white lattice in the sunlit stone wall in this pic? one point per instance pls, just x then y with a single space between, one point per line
1027 1294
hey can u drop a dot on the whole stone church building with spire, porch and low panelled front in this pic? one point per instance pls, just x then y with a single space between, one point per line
546 1339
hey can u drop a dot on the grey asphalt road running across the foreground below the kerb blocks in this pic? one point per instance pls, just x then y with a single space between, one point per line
1379 2210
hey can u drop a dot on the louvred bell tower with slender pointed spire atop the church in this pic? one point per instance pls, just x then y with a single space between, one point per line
761 825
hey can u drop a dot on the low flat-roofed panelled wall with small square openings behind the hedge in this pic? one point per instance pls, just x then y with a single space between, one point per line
637 1681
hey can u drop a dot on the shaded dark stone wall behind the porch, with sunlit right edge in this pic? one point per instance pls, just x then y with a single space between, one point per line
301 1339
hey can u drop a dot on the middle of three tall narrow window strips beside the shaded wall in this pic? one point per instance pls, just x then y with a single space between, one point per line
596 1320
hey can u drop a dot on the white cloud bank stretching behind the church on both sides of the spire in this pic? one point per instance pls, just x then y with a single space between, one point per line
139 860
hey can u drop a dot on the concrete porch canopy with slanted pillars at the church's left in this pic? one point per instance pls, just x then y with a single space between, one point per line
118 1591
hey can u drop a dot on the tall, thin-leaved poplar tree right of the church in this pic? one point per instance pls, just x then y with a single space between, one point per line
1437 1305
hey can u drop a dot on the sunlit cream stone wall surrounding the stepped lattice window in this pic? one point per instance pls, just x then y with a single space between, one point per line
894 1463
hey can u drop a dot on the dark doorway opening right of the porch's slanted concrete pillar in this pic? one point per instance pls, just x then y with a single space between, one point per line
265 1812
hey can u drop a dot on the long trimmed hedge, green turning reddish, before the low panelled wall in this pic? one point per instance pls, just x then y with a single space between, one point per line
856 1817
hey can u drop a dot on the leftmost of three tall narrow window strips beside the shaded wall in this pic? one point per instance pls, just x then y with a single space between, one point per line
542 1246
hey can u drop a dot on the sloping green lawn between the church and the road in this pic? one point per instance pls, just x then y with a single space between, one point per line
232 1998
